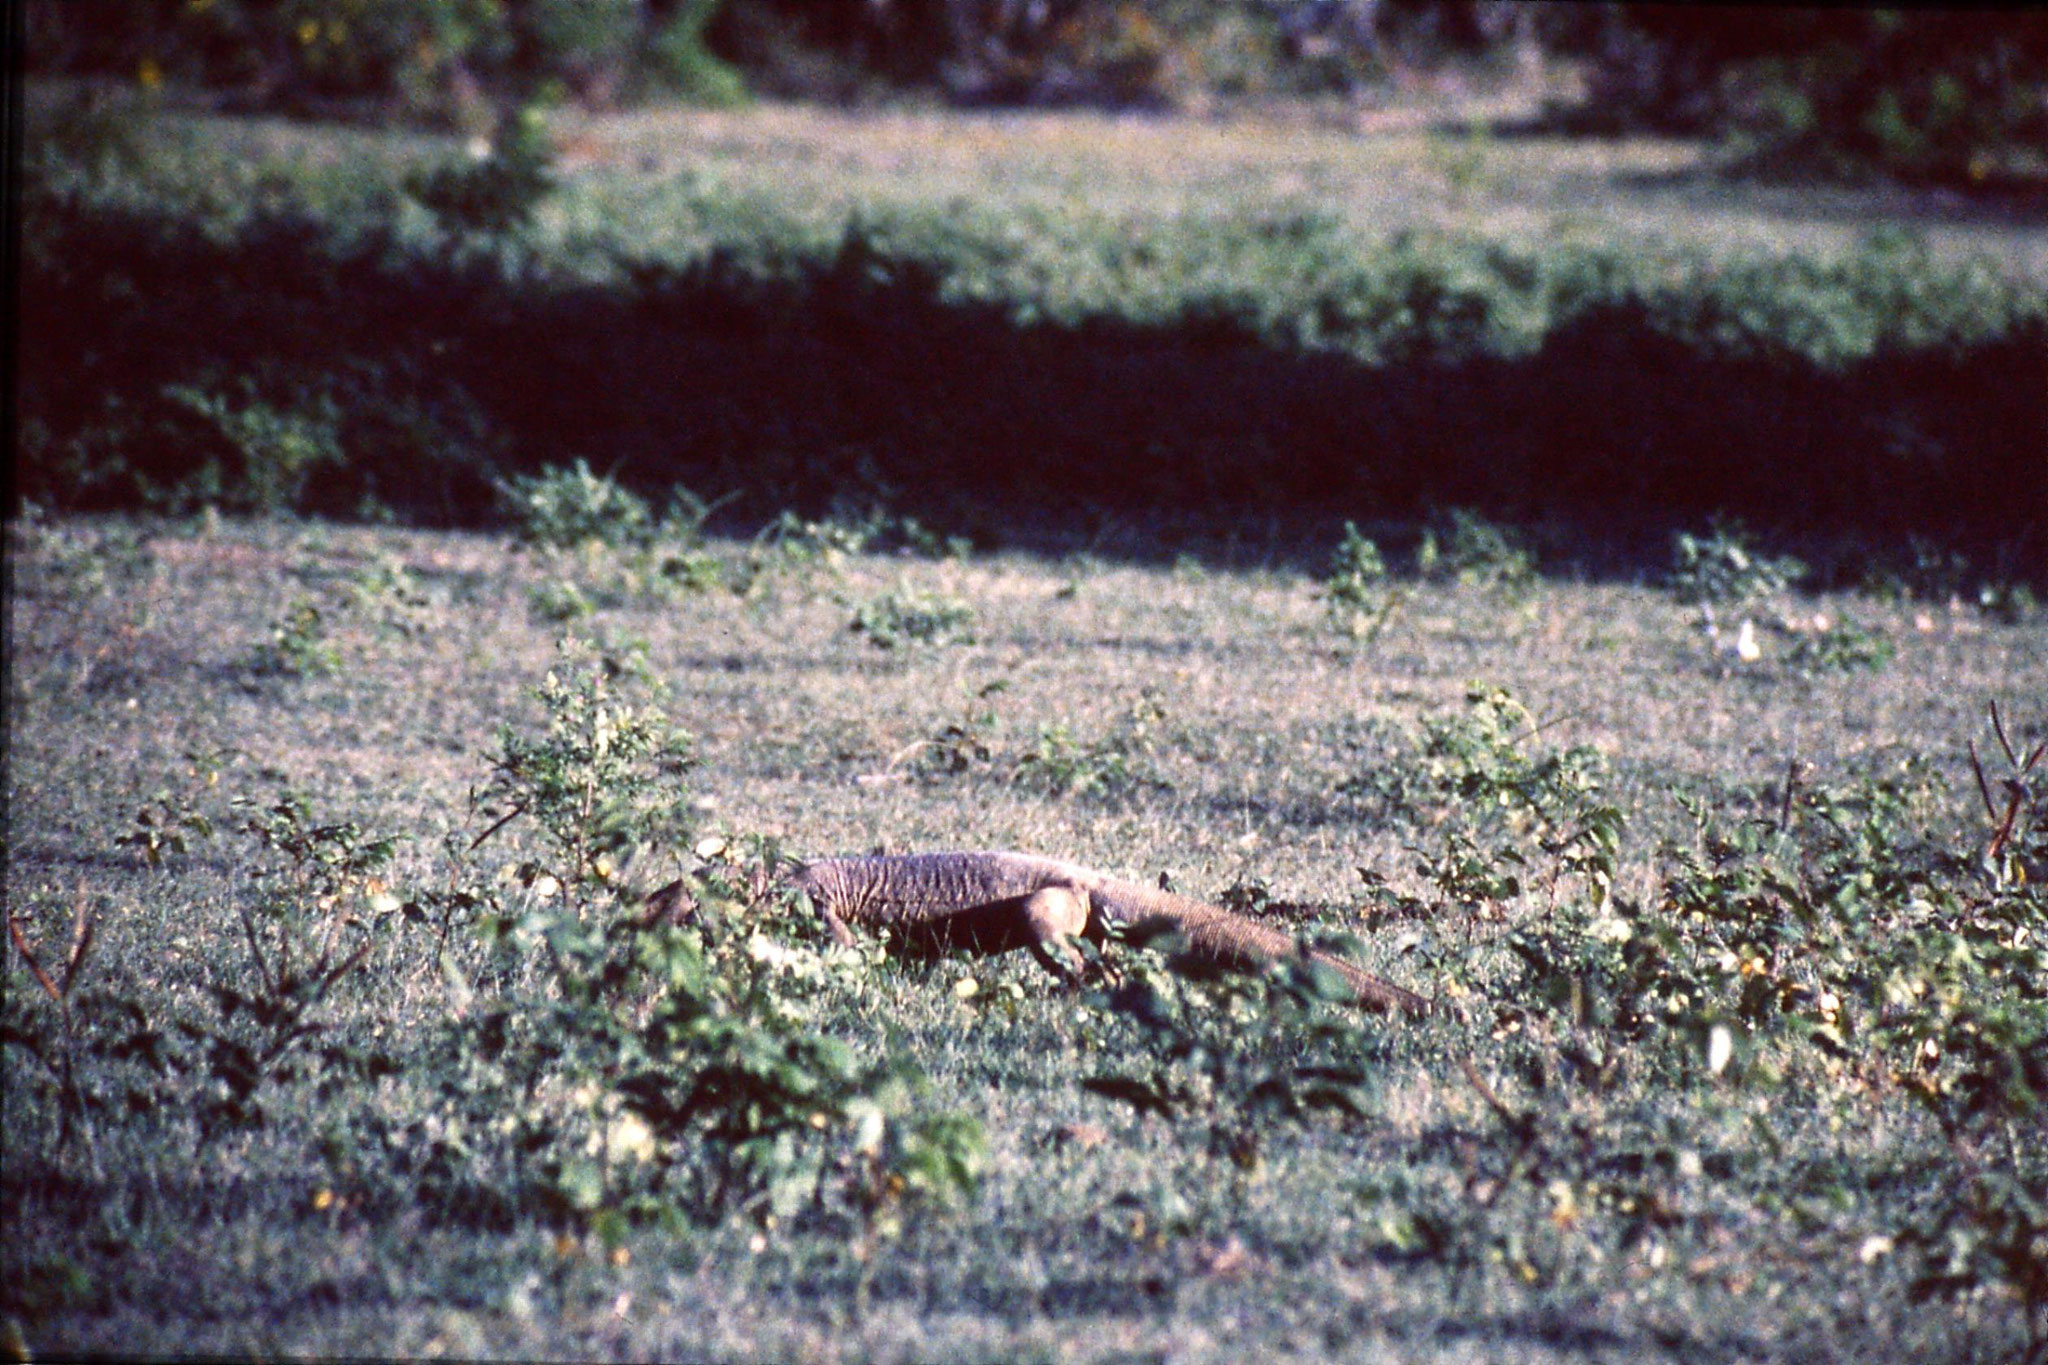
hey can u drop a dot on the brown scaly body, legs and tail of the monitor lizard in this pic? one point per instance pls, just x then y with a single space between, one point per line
1000 901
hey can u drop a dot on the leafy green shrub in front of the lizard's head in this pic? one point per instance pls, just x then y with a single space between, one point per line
665 1067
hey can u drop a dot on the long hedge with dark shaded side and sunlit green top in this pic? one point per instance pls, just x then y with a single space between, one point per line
998 365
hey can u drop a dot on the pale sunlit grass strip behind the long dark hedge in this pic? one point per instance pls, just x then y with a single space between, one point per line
1414 171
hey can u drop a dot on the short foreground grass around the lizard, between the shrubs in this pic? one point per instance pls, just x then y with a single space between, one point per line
1648 1213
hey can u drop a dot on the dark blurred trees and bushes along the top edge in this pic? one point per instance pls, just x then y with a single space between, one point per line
1930 95
